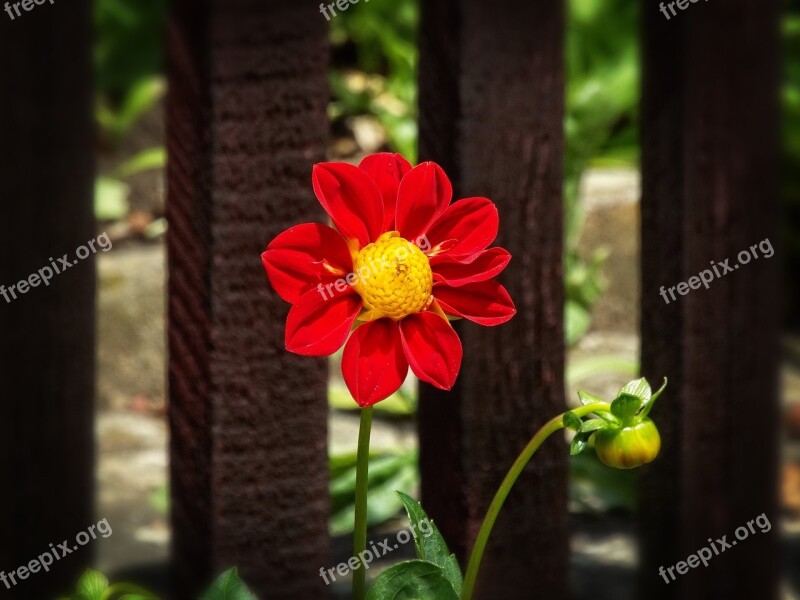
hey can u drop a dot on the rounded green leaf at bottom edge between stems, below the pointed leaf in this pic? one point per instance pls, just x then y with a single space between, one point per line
412 580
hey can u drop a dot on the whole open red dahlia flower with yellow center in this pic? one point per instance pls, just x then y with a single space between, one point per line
401 262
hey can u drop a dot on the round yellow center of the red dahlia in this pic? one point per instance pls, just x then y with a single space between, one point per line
394 278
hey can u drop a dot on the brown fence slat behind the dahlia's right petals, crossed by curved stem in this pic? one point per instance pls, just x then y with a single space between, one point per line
491 107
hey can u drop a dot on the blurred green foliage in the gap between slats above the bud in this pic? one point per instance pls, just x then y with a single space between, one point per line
600 128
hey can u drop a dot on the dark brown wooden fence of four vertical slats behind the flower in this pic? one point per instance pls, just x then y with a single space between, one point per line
246 121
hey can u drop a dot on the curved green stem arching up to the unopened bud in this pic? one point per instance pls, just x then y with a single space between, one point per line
502 493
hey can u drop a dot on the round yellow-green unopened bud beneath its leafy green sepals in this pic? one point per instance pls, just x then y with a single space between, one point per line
628 447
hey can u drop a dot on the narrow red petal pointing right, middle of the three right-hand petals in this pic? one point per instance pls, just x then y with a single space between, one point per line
485 302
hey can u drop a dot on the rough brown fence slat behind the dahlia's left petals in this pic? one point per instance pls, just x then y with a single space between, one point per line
246 120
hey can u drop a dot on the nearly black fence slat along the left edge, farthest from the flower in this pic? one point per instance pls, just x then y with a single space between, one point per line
47 334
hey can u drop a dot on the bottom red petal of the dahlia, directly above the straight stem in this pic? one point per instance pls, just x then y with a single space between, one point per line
373 364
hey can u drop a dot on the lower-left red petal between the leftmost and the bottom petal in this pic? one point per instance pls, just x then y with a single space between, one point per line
318 325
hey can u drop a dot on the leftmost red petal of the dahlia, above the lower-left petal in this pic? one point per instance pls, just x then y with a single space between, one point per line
296 260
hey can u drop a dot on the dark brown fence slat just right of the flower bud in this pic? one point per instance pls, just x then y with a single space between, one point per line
709 123
